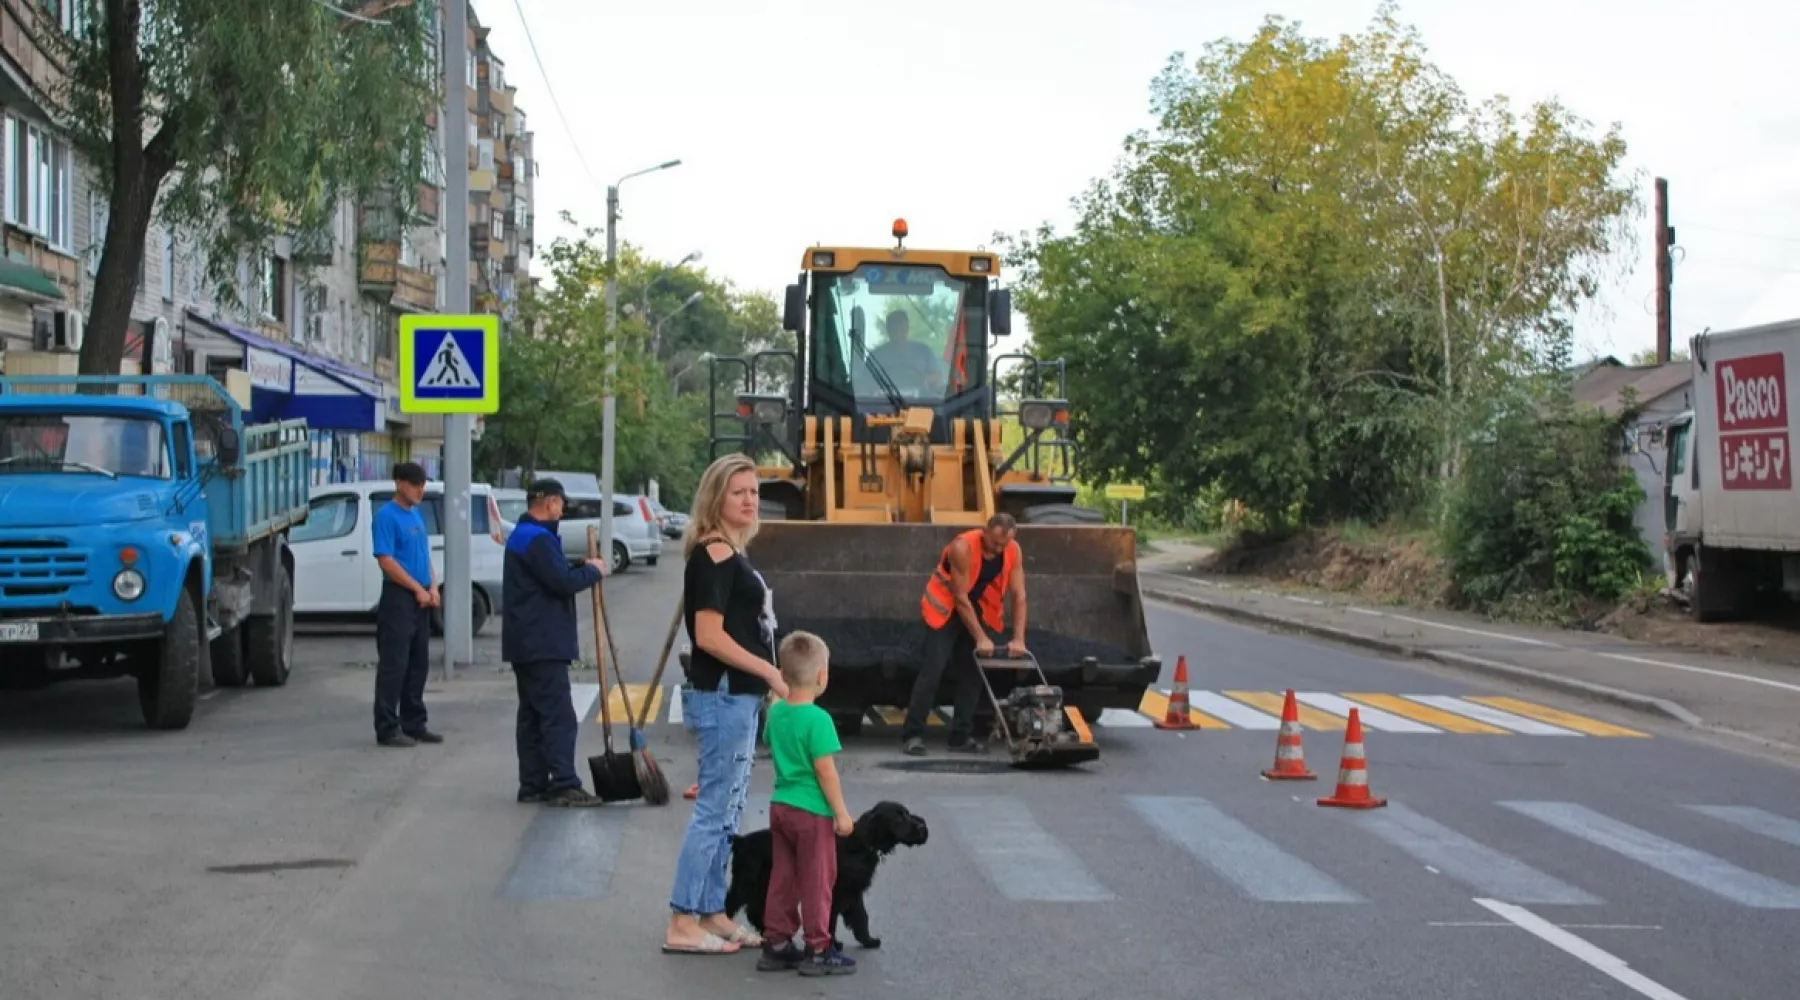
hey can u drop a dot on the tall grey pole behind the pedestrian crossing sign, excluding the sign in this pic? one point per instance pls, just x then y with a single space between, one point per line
456 593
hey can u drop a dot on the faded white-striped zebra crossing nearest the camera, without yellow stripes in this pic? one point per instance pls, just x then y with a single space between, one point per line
1036 855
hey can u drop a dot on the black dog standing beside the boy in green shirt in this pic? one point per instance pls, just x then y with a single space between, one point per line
879 832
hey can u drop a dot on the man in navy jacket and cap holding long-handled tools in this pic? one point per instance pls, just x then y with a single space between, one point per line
539 638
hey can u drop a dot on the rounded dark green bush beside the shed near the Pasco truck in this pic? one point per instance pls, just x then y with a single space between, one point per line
1545 506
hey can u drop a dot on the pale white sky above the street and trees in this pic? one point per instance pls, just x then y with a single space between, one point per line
802 123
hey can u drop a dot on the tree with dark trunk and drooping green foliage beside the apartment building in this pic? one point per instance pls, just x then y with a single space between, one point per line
247 118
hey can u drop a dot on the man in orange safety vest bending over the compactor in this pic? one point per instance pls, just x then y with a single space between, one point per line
966 609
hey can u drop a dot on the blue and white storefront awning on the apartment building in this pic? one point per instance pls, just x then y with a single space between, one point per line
291 384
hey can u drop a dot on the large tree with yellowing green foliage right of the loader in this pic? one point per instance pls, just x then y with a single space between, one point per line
1318 276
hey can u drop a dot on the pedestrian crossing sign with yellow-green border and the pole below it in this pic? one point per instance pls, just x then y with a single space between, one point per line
453 366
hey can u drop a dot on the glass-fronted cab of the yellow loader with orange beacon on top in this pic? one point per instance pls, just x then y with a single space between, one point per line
883 330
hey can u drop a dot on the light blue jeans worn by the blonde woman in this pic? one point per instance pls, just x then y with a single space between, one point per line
726 729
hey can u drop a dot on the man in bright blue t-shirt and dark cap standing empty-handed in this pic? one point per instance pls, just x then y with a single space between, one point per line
404 614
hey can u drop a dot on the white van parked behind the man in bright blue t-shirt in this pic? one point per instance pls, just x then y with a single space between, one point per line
336 576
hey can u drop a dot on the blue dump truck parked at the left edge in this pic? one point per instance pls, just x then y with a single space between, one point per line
145 535
